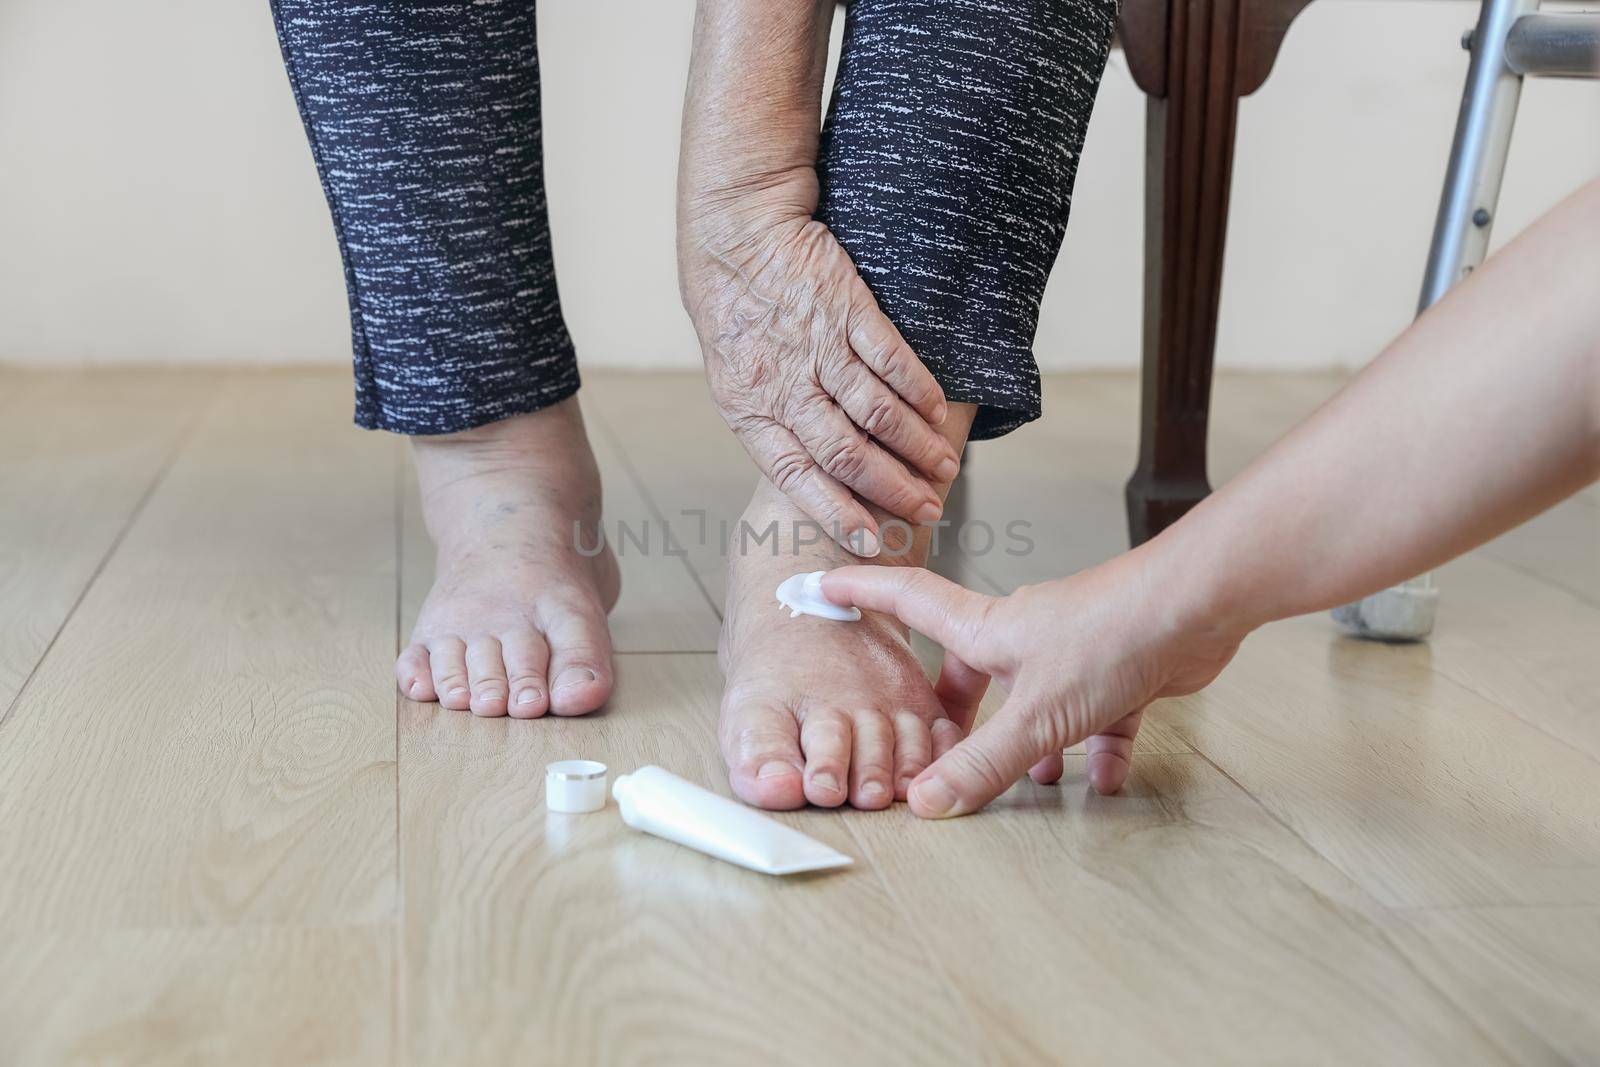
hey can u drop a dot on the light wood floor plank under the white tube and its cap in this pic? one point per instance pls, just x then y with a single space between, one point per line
548 938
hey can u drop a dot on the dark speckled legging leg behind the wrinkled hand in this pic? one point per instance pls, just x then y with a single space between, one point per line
948 166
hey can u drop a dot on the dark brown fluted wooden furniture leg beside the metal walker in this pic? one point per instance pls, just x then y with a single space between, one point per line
1194 60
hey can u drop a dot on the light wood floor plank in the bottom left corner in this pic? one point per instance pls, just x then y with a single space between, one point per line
242 996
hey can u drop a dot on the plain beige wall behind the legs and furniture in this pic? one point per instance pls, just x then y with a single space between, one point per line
158 202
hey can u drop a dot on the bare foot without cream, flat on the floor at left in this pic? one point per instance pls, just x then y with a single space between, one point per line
516 618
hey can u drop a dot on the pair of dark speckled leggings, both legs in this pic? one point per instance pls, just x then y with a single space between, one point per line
946 164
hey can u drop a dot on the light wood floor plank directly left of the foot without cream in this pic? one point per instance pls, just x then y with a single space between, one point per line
212 737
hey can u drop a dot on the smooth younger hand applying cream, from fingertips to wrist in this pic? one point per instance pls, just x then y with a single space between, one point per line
1079 658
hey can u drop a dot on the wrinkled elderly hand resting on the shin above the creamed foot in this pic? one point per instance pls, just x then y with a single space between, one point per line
815 382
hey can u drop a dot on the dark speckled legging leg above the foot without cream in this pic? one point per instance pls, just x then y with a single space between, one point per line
425 124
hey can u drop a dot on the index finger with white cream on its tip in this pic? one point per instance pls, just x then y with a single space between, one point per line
929 604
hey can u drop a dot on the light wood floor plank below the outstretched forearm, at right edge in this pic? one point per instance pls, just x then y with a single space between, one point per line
1422 791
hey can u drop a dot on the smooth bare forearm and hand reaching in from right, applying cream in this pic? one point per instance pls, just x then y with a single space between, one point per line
1324 518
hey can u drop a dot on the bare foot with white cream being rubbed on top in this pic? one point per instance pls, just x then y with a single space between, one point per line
820 711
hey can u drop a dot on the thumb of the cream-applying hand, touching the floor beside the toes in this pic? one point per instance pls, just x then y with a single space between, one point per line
983 767
